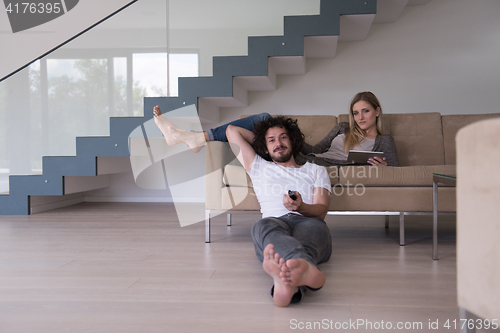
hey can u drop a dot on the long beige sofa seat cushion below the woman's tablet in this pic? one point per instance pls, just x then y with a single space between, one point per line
365 175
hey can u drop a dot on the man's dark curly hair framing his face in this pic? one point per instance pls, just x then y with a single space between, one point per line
291 127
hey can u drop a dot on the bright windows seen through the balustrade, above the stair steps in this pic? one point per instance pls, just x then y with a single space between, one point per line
63 97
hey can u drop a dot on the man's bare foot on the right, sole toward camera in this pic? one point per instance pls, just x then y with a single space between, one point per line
299 272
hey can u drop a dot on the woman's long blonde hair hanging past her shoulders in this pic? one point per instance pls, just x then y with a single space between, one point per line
355 135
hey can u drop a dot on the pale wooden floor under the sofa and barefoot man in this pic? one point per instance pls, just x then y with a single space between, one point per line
108 267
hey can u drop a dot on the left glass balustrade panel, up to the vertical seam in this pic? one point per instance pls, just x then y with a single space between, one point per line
74 90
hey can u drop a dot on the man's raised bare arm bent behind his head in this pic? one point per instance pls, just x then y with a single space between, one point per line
240 140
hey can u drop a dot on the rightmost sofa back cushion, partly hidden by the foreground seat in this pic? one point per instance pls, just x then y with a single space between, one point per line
451 125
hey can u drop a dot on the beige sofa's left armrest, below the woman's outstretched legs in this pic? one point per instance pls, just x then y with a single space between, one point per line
217 156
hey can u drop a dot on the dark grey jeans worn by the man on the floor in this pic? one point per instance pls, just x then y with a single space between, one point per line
294 237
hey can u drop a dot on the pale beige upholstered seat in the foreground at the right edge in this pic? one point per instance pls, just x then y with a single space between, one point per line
478 195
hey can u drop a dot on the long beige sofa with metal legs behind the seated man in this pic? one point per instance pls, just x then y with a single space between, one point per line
425 145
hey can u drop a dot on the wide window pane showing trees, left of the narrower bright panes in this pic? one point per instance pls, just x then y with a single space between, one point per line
77 98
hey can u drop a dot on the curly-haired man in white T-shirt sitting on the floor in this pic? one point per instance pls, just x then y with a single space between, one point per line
292 238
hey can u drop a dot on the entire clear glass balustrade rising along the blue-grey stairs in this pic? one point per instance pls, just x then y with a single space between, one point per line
107 71
